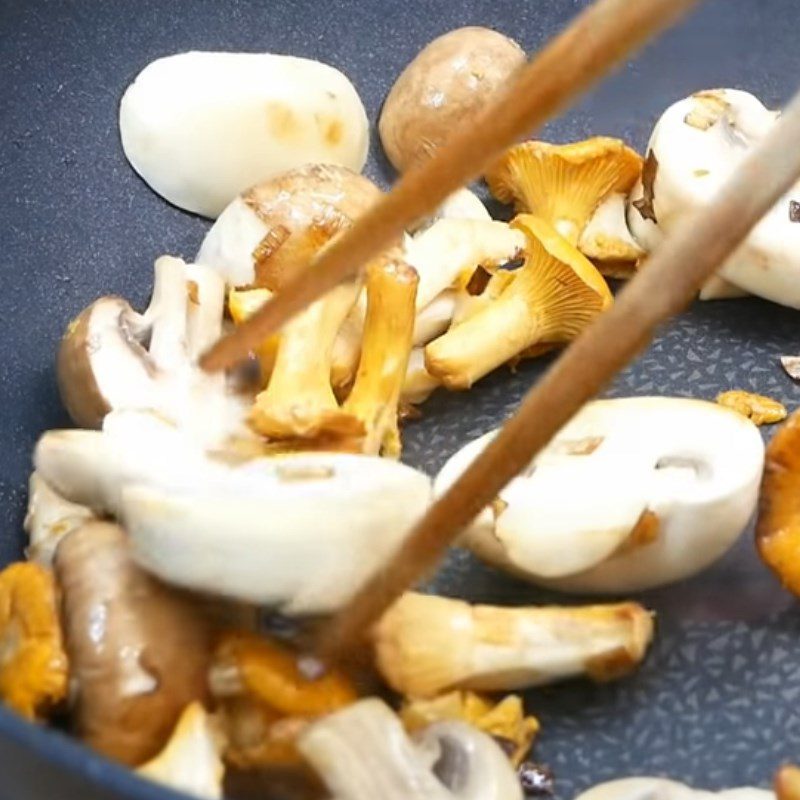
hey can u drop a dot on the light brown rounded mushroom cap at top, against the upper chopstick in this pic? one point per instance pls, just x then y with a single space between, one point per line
444 86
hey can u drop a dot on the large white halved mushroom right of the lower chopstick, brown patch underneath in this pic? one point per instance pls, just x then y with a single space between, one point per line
666 487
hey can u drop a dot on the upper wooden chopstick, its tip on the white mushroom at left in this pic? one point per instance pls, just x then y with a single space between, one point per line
596 41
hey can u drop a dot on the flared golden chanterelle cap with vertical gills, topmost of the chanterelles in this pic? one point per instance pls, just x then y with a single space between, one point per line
564 184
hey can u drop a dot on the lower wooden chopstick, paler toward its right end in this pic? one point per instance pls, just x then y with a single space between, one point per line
667 283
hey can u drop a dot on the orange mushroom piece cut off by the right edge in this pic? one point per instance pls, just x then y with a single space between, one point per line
778 525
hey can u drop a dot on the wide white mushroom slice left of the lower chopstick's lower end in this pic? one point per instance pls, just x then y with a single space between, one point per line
300 532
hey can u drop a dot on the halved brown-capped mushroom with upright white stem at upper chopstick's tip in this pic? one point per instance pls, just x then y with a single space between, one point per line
103 363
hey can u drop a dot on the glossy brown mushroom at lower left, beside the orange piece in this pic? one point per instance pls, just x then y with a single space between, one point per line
139 651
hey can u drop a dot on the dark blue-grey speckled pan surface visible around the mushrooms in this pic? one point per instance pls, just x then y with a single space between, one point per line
716 704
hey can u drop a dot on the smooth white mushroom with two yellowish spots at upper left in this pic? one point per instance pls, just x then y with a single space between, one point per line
201 127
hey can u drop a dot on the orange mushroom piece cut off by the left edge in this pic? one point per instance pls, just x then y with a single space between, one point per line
33 664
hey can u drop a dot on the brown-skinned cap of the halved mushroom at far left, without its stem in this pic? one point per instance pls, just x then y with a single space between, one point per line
100 363
